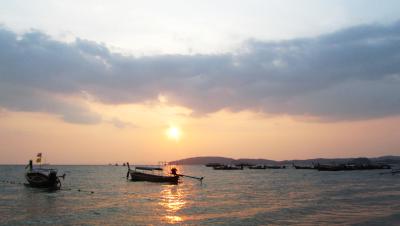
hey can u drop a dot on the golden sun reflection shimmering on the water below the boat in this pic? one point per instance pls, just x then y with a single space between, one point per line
172 200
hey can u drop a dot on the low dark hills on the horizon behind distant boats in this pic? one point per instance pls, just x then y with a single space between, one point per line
395 160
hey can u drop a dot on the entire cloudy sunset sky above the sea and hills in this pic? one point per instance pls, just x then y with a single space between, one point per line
96 82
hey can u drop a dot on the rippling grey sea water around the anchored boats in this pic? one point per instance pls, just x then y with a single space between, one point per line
248 197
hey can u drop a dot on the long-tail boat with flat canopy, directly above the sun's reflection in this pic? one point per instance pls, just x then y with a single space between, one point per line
151 174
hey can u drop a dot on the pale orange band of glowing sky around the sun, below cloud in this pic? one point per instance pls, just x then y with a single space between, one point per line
142 138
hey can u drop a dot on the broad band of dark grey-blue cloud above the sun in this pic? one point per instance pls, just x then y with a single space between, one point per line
345 75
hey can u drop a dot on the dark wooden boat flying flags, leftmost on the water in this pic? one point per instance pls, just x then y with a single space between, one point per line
43 178
